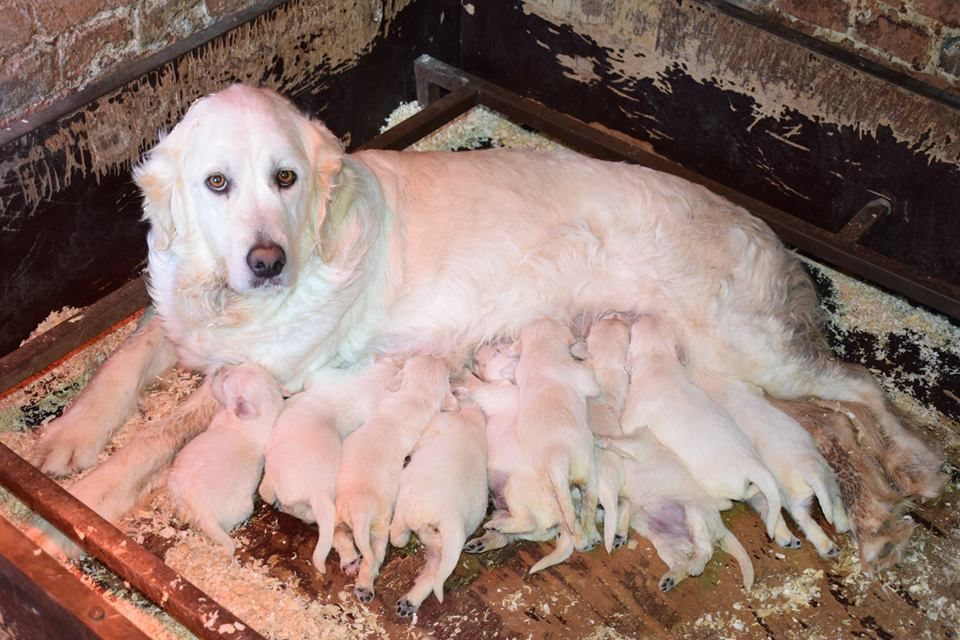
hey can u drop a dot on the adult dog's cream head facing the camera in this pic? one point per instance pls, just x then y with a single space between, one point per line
238 187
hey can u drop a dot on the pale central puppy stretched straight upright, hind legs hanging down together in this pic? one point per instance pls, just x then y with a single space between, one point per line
552 427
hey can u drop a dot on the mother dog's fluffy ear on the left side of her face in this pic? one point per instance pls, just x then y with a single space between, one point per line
157 178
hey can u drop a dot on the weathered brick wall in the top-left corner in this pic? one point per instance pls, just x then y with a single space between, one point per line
50 48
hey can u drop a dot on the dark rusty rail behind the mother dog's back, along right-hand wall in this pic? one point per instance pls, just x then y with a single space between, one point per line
839 249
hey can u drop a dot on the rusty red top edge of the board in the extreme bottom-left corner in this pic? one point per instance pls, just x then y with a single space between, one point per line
55 594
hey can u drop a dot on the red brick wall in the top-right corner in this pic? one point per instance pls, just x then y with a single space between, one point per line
918 37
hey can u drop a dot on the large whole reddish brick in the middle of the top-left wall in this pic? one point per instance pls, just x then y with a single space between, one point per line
102 42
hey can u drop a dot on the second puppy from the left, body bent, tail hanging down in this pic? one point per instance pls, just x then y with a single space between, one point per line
302 456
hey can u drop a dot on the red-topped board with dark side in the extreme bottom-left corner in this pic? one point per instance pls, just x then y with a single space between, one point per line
41 599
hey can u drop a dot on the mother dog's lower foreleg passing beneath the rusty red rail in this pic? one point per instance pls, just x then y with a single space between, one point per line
114 487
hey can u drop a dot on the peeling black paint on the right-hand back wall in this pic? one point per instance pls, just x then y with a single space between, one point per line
824 176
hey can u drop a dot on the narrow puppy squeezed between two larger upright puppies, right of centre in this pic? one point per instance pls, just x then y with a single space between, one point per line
607 345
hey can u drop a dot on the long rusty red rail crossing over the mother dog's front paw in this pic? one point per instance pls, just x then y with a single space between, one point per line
163 586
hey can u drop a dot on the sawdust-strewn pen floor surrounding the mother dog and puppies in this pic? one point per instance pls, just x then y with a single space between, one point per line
270 585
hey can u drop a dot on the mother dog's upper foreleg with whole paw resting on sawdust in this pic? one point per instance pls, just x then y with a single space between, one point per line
72 442
